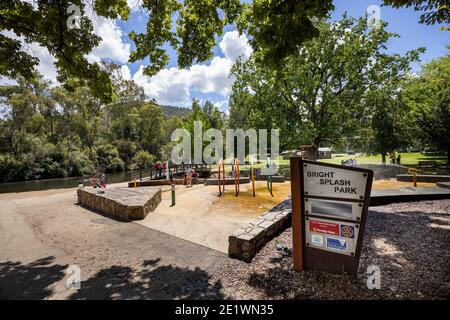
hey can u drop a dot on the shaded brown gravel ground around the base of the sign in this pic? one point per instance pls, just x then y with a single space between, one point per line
409 242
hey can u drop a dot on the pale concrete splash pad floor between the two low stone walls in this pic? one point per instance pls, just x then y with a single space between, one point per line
201 216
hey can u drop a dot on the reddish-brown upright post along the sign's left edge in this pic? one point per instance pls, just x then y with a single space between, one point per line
297 221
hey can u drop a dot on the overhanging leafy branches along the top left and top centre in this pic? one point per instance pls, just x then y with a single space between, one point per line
277 27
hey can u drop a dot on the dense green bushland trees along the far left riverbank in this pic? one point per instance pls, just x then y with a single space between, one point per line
59 131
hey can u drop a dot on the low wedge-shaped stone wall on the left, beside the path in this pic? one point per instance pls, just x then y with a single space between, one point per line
122 204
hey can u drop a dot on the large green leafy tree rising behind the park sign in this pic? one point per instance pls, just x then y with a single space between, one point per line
319 96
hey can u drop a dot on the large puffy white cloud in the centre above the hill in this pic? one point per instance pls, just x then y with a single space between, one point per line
174 86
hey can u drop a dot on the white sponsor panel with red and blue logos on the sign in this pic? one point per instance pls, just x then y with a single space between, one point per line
334 236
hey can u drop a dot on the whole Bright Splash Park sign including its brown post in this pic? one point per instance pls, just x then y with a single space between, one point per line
329 209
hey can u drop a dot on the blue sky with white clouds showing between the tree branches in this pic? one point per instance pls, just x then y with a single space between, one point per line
210 80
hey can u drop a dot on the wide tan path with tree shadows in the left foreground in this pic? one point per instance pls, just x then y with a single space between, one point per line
43 233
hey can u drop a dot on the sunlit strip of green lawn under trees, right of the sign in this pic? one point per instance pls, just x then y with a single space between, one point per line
407 158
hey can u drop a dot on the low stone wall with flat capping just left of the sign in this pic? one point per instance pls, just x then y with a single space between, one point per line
245 242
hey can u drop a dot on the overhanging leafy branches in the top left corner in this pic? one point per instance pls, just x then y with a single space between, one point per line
46 23
